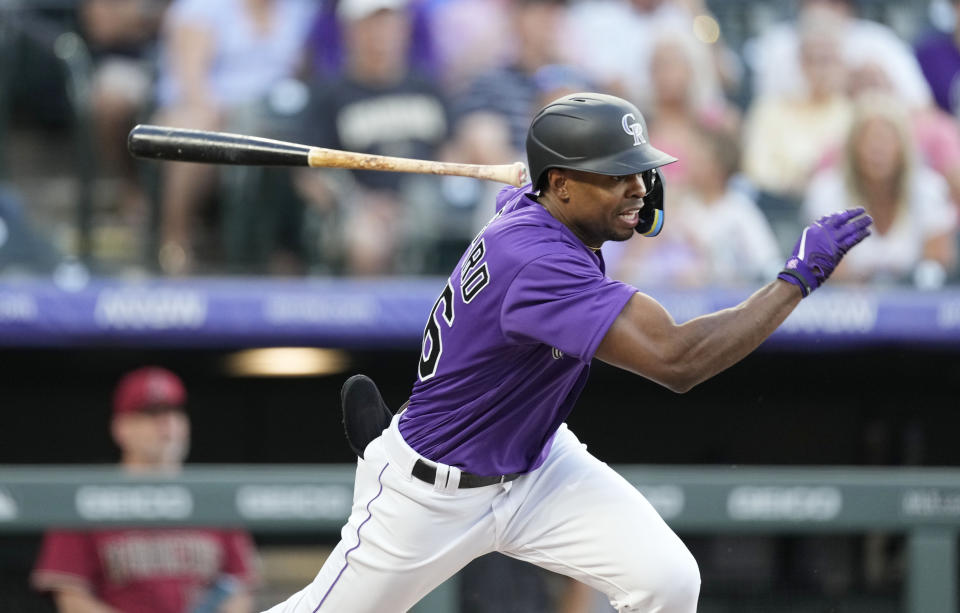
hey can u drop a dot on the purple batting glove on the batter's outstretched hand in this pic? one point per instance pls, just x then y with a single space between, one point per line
821 247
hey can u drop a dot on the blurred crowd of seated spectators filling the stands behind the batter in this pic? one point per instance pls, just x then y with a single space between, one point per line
820 111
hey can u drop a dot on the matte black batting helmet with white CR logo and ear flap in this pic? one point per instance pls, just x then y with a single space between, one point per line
602 134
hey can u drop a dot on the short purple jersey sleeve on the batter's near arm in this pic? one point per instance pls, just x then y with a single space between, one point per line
562 300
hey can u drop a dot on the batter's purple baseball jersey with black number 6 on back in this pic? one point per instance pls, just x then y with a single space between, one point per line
508 345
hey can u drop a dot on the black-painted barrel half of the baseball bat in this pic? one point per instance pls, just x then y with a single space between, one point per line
182 145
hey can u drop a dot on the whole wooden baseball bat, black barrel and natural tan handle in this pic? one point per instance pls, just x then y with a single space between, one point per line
182 145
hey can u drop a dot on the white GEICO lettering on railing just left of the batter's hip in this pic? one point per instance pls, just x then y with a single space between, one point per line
294 501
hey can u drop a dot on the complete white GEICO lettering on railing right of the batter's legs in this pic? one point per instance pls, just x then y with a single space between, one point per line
799 503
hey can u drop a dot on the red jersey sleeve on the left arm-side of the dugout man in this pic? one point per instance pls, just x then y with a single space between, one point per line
67 559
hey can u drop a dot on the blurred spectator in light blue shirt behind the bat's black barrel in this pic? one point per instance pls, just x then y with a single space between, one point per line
220 59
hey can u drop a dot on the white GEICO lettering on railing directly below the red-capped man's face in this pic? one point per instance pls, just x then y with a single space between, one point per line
121 502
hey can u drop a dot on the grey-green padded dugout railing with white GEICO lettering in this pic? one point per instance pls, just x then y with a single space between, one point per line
922 503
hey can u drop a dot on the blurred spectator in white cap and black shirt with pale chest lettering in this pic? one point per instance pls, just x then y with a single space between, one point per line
377 105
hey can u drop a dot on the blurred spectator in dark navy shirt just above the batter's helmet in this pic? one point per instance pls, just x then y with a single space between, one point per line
511 90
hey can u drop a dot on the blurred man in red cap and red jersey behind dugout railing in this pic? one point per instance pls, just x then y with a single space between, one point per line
148 570
